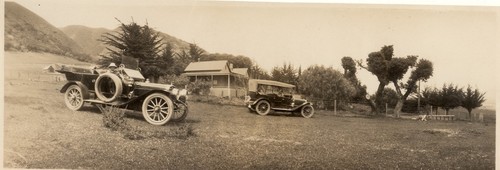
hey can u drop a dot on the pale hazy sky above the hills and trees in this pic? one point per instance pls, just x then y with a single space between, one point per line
461 41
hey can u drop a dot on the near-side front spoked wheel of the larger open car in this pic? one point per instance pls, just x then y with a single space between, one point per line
157 109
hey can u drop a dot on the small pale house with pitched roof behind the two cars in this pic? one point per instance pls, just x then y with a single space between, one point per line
224 79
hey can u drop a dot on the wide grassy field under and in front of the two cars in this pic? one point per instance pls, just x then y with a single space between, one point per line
40 132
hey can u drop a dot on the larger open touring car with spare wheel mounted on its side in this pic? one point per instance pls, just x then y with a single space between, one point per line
124 88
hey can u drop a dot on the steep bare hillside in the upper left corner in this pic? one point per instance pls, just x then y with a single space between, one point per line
26 31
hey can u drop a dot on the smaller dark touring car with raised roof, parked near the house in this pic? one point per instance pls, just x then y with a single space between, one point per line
266 95
